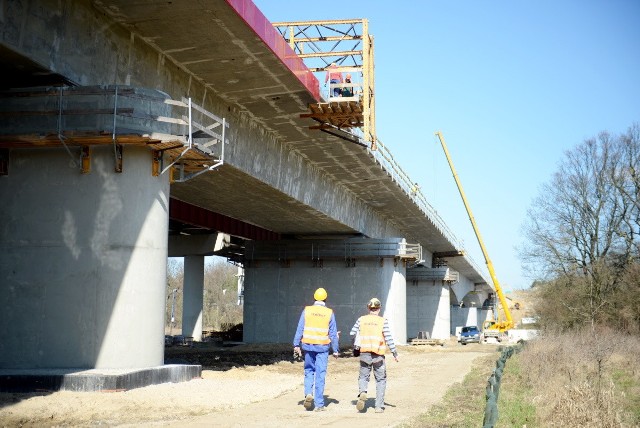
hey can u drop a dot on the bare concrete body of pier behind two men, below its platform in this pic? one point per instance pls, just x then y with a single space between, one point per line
275 296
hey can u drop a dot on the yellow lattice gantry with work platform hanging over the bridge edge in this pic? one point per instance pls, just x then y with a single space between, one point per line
347 44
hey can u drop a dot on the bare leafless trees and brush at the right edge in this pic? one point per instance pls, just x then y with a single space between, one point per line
583 236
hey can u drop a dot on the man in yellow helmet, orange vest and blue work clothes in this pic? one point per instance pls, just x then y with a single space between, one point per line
316 330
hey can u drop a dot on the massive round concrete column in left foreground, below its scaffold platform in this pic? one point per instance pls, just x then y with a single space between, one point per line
82 260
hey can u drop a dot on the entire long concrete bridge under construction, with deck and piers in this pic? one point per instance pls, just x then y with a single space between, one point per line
133 131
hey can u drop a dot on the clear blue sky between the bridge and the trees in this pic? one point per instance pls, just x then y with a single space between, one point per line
512 85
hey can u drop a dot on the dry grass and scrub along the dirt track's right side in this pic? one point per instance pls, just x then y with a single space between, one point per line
578 379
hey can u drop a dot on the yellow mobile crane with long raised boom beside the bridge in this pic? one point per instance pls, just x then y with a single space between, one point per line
495 328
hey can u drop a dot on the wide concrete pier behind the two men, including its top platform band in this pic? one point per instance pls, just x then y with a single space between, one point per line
281 277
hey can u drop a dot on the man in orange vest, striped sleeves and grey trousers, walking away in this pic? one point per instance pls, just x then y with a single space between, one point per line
373 332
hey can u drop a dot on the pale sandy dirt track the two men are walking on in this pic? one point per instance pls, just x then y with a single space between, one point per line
242 392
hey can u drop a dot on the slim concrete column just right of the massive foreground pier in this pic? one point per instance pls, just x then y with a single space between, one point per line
193 297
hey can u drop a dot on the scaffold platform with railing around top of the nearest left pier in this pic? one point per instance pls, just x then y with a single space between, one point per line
185 140
